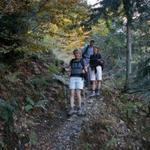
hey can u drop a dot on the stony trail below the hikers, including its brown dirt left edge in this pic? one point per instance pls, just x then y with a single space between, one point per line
65 136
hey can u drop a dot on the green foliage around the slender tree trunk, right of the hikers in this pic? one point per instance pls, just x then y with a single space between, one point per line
115 42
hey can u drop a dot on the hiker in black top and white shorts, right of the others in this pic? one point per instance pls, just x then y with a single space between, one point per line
96 67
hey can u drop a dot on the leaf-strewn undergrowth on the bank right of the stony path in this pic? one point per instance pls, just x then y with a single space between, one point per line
123 124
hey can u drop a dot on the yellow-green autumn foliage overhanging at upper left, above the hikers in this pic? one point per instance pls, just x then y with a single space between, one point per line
25 24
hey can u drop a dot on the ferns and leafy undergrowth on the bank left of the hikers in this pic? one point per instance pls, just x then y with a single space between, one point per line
27 93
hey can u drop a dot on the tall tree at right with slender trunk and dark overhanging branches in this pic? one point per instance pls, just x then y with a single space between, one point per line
128 10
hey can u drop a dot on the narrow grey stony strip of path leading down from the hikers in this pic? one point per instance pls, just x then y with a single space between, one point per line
66 137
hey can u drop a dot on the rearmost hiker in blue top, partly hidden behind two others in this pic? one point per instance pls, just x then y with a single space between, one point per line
87 51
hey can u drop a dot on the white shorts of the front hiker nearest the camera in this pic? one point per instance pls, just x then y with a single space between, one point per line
76 83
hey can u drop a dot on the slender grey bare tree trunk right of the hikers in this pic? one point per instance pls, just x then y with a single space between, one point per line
128 57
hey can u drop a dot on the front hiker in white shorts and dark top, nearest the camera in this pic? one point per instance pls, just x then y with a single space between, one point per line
77 68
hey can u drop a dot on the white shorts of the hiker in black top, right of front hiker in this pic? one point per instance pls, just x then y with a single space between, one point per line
96 76
